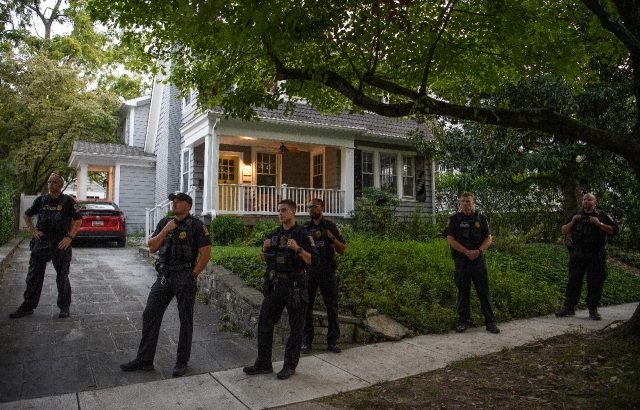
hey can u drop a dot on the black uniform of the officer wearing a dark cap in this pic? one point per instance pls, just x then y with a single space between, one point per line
176 259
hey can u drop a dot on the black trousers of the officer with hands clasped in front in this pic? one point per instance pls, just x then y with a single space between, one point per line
476 271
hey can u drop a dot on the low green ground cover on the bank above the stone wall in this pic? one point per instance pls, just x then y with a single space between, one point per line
413 281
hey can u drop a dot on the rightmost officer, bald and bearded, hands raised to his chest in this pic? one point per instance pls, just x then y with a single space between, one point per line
588 230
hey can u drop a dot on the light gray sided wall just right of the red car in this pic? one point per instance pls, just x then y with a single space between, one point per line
136 194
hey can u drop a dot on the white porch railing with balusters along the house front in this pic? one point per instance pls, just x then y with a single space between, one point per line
263 200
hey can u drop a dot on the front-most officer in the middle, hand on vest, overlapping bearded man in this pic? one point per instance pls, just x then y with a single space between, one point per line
287 251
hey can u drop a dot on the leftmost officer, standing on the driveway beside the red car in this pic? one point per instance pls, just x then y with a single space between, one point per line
58 223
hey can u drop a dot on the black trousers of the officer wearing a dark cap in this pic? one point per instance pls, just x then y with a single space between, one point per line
183 286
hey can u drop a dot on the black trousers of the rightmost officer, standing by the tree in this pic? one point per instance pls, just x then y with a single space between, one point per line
593 262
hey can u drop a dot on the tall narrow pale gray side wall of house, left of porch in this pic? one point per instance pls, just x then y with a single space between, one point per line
167 147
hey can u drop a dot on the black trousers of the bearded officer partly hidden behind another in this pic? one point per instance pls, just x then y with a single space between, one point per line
328 284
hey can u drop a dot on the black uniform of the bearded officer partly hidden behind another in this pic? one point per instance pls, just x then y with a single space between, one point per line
323 276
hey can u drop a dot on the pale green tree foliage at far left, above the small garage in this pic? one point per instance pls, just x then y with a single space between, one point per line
57 85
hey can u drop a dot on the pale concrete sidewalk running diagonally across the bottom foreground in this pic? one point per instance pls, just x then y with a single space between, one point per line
324 374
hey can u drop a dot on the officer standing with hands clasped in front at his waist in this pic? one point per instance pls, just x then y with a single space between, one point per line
469 236
